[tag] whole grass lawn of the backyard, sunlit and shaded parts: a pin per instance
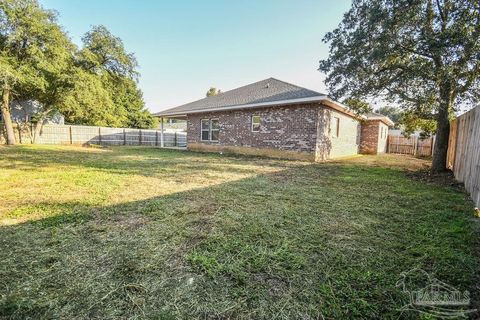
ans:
(160, 234)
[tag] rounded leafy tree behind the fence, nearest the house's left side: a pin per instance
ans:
(116, 101)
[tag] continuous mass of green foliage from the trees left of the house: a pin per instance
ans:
(95, 85)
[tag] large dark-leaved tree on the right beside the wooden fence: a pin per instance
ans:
(421, 54)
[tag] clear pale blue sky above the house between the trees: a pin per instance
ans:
(185, 47)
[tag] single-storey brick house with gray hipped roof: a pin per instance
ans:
(279, 119)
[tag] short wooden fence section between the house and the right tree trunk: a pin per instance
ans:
(411, 145)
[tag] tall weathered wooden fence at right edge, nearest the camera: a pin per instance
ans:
(464, 151)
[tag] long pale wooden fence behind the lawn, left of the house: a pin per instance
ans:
(66, 134)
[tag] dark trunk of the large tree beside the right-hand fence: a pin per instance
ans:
(439, 161)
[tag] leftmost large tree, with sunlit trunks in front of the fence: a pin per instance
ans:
(41, 55)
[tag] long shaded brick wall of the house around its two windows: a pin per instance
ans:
(290, 128)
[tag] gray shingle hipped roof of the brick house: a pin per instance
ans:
(268, 90)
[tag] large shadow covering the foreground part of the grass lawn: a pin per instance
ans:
(308, 242)
